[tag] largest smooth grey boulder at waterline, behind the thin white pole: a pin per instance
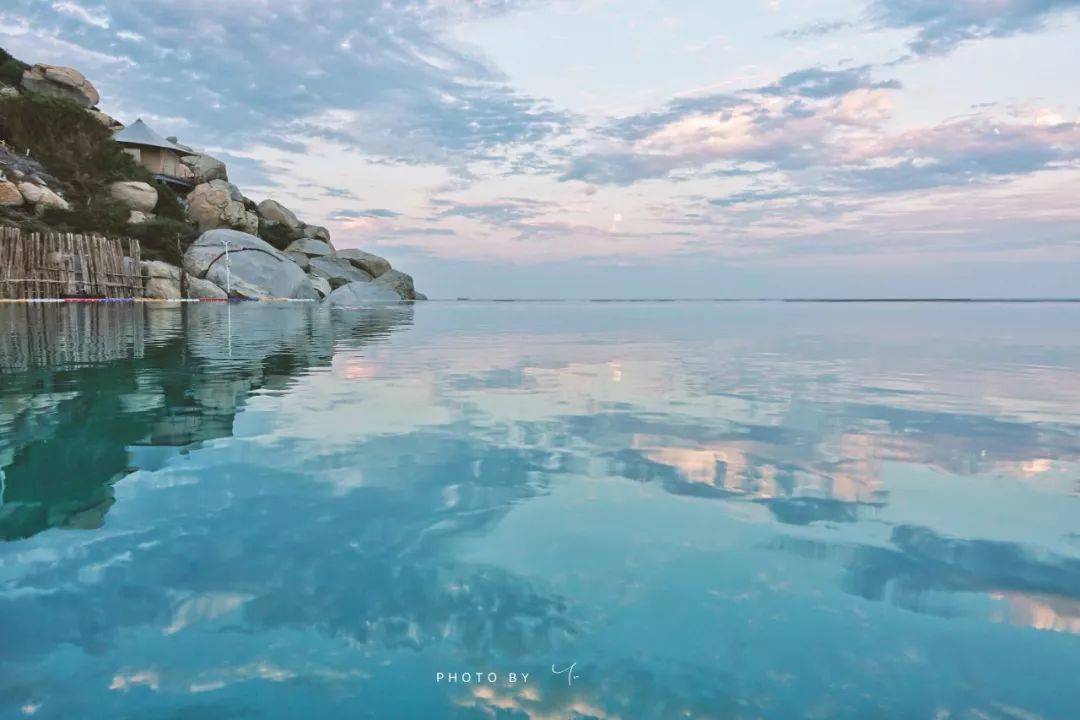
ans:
(253, 269)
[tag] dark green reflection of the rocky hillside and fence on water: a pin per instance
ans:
(92, 392)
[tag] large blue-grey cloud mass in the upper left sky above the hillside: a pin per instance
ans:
(262, 73)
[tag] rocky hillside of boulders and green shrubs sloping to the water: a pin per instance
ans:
(206, 239)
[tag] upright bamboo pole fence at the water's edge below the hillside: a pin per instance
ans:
(65, 265)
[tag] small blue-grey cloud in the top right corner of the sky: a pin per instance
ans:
(941, 26)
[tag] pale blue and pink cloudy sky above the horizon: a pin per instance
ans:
(626, 148)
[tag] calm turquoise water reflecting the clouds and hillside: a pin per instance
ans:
(714, 511)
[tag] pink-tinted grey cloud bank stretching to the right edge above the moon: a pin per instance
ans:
(820, 138)
